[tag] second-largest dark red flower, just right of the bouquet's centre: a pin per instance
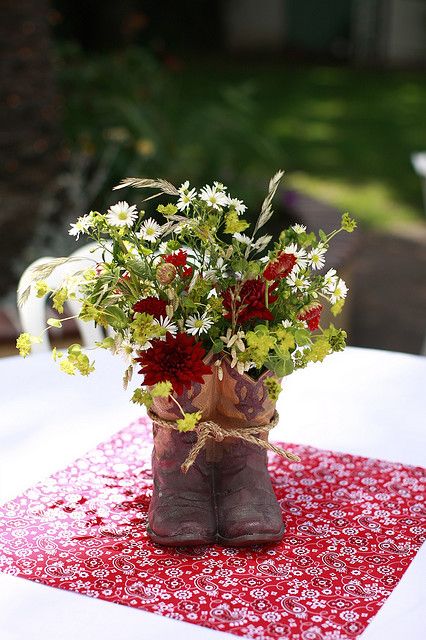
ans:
(251, 302)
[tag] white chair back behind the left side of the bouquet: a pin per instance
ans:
(32, 314)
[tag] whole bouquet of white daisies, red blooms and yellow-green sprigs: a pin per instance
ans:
(191, 285)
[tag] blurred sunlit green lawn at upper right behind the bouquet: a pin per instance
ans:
(346, 135)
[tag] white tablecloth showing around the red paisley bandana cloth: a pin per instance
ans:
(361, 401)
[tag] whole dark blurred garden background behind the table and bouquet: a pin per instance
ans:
(333, 92)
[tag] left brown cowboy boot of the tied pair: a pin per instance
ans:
(181, 511)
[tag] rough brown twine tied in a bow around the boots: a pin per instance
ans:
(209, 429)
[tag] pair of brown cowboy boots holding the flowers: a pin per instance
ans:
(226, 496)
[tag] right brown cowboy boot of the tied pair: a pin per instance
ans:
(246, 506)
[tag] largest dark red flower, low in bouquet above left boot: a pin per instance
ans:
(178, 359)
